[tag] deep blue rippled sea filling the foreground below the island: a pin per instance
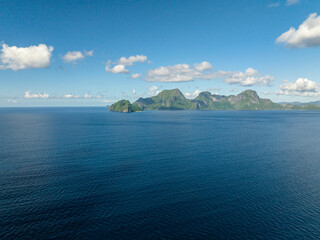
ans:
(81, 173)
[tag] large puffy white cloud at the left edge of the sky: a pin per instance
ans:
(17, 58)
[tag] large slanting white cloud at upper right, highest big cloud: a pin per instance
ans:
(307, 34)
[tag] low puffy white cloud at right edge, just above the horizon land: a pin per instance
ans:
(301, 87)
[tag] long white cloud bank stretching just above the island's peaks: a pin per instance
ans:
(184, 73)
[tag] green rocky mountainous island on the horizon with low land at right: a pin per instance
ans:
(175, 100)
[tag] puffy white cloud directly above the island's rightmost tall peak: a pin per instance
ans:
(248, 78)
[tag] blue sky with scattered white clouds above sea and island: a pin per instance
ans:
(93, 53)
